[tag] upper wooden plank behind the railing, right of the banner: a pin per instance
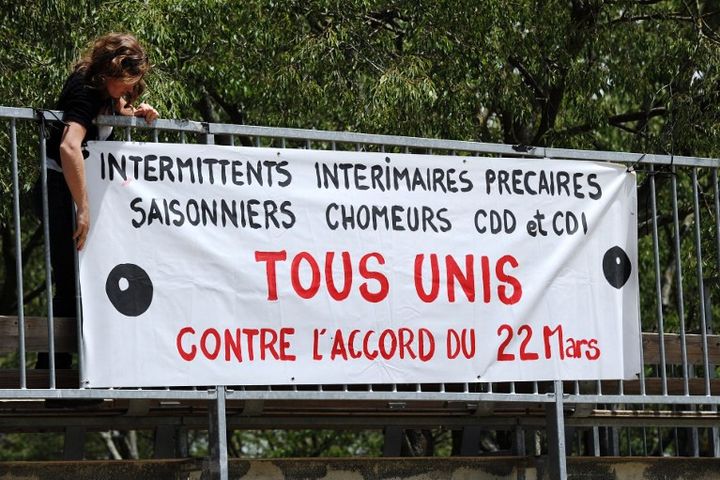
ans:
(673, 345)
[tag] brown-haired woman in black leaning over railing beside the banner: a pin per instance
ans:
(107, 80)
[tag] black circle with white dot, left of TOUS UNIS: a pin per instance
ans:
(129, 289)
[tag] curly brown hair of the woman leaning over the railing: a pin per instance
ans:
(115, 55)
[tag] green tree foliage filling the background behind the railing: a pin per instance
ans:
(626, 75)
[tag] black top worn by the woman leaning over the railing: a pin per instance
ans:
(80, 103)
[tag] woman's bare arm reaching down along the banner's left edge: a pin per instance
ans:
(73, 165)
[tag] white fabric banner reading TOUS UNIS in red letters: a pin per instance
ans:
(213, 265)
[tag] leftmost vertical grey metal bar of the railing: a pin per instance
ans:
(18, 253)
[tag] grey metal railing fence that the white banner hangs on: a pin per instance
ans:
(671, 409)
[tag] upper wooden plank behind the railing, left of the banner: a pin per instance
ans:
(36, 334)
